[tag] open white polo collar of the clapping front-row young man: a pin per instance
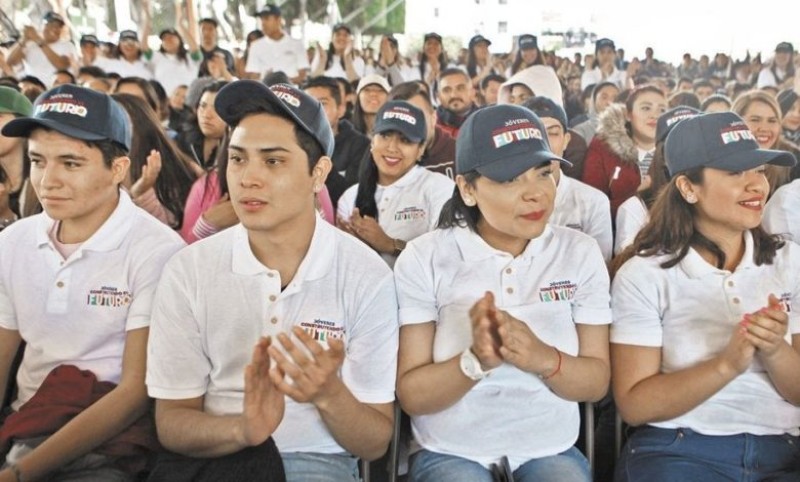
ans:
(316, 263)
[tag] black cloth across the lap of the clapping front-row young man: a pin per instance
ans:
(254, 464)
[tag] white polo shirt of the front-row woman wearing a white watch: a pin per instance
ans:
(559, 280)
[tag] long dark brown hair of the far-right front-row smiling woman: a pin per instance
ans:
(671, 231)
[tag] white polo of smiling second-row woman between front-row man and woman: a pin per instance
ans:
(408, 207)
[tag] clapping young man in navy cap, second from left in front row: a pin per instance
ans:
(318, 306)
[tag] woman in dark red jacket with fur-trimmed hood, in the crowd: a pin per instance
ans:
(620, 154)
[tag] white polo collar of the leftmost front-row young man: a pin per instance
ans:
(108, 237)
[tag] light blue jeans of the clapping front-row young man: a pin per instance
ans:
(311, 467)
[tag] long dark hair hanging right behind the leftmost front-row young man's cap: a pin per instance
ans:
(176, 178)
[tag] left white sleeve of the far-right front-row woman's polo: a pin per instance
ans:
(634, 303)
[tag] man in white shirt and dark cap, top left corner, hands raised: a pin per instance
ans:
(41, 54)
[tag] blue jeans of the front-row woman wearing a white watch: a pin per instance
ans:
(568, 466)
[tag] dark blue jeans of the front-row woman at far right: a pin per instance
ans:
(665, 455)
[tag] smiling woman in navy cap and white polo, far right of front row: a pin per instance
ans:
(706, 337)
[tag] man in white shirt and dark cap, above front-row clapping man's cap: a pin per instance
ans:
(276, 51)
